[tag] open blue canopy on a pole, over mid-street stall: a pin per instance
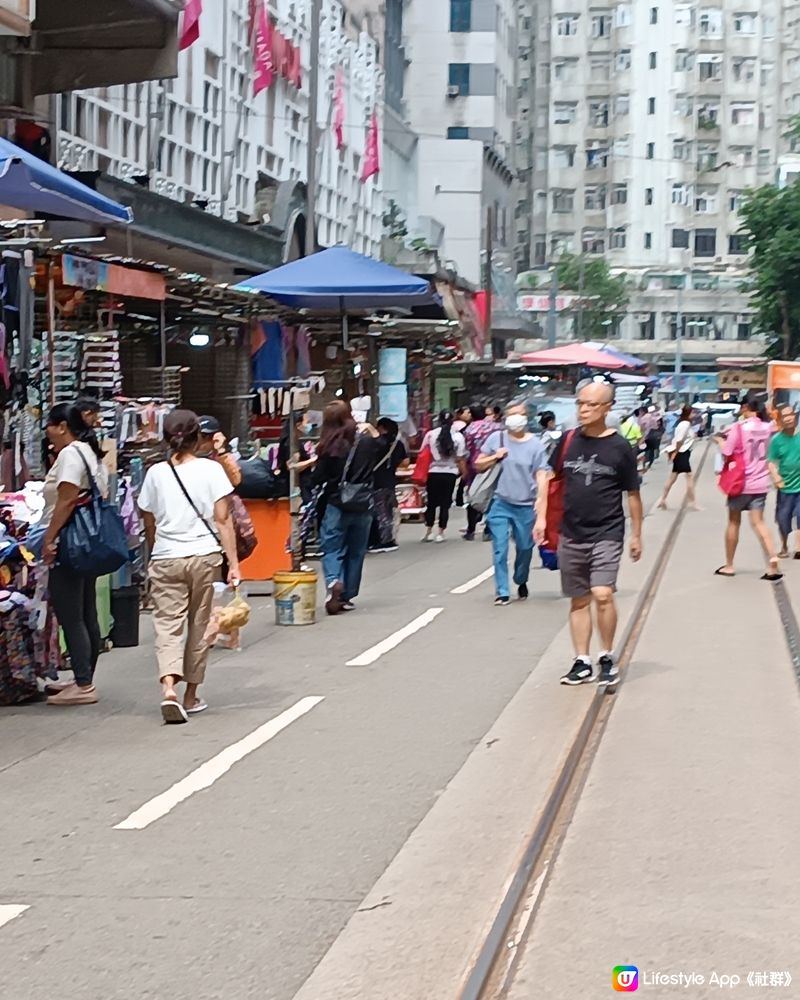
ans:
(339, 279)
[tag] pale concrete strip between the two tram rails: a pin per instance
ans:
(682, 853)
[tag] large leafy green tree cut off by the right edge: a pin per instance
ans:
(771, 223)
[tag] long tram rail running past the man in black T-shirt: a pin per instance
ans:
(495, 965)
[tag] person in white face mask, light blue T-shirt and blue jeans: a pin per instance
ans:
(515, 507)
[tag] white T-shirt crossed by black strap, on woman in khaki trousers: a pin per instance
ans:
(179, 531)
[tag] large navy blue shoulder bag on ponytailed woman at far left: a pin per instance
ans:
(93, 542)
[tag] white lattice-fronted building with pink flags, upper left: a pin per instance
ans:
(204, 139)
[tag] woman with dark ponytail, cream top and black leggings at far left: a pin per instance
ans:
(78, 456)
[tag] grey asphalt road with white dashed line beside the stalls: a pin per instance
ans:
(239, 889)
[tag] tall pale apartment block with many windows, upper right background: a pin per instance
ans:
(647, 124)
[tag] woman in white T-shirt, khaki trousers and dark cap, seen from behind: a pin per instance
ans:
(187, 520)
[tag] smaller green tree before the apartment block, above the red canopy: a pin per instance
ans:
(601, 296)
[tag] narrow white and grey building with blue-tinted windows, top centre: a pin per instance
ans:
(459, 98)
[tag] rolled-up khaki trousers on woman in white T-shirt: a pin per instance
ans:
(182, 592)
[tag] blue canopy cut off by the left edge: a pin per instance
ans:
(29, 183)
